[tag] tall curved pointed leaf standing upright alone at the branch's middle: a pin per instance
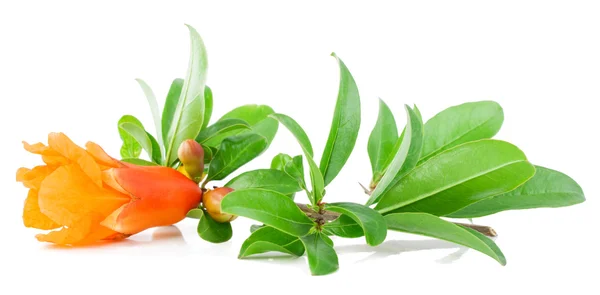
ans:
(344, 128)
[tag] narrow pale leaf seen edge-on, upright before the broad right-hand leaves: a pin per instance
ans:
(406, 157)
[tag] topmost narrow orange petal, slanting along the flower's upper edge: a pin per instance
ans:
(65, 147)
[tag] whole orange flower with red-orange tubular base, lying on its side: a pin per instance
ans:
(92, 197)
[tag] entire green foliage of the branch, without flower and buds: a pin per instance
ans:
(422, 174)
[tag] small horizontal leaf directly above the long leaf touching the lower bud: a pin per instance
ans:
(269, 179)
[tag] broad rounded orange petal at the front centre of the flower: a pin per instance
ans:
(69, 195)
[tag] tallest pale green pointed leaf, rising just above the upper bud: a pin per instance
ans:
(189, 113)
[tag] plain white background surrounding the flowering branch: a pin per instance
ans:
(70, 67)
